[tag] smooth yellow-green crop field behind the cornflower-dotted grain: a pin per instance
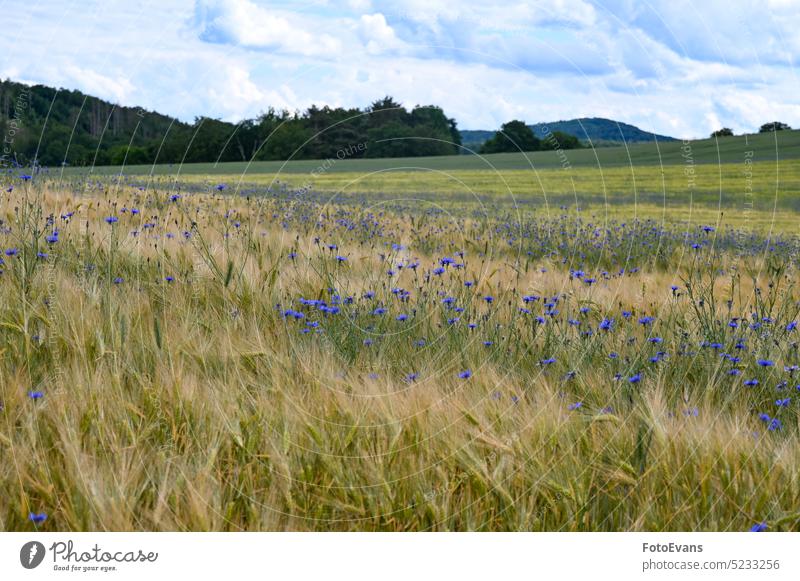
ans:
(744, 181)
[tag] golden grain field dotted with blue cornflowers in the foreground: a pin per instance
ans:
(188, 357)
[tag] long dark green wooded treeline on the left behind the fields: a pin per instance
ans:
(51, 128)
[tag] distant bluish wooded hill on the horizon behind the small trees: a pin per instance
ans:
(598, 131)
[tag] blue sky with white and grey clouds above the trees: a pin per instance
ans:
(676, 68)
